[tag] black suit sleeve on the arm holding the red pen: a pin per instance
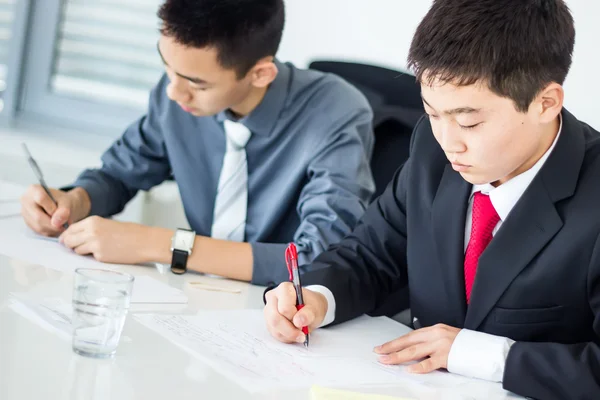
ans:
(369, 264)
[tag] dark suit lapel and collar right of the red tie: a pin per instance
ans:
(531, 224)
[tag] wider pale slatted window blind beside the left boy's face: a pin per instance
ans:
(106, 51)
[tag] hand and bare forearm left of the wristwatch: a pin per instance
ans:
(109, 241)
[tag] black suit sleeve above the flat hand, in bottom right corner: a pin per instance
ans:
(560, 371)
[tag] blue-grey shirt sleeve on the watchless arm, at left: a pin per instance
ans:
(136, 161)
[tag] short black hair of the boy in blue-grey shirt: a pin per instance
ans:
(242, 31)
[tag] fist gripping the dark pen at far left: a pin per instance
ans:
(45, 217)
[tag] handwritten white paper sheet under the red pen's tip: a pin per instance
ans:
(237, 344)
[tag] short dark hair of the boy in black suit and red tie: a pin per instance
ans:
(517, 47)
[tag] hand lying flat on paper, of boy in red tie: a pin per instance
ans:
(431, 344)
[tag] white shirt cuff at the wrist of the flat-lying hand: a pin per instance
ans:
(479, 355)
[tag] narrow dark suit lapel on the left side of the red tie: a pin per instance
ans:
(448, 221)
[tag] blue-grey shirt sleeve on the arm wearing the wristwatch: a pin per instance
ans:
(339, 188)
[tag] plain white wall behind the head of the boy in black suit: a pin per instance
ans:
(379, 32)
